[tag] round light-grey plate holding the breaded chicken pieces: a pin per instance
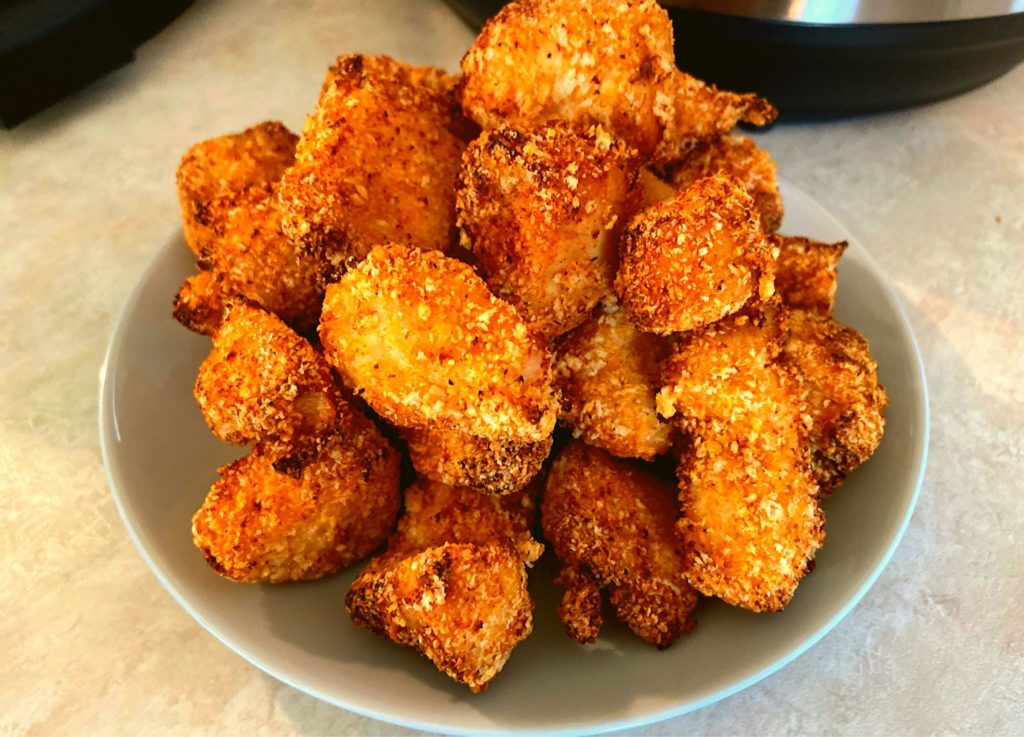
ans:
(161, 459)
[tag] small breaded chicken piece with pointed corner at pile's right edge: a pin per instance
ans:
(805, 273)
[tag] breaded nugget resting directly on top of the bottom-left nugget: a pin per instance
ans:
(263, 383)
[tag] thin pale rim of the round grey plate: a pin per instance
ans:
(109, 431)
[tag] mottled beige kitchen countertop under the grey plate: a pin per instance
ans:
(93, 645)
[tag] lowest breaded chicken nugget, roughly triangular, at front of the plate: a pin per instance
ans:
(463, 606)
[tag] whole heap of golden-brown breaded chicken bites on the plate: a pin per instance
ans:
(553, 288)
